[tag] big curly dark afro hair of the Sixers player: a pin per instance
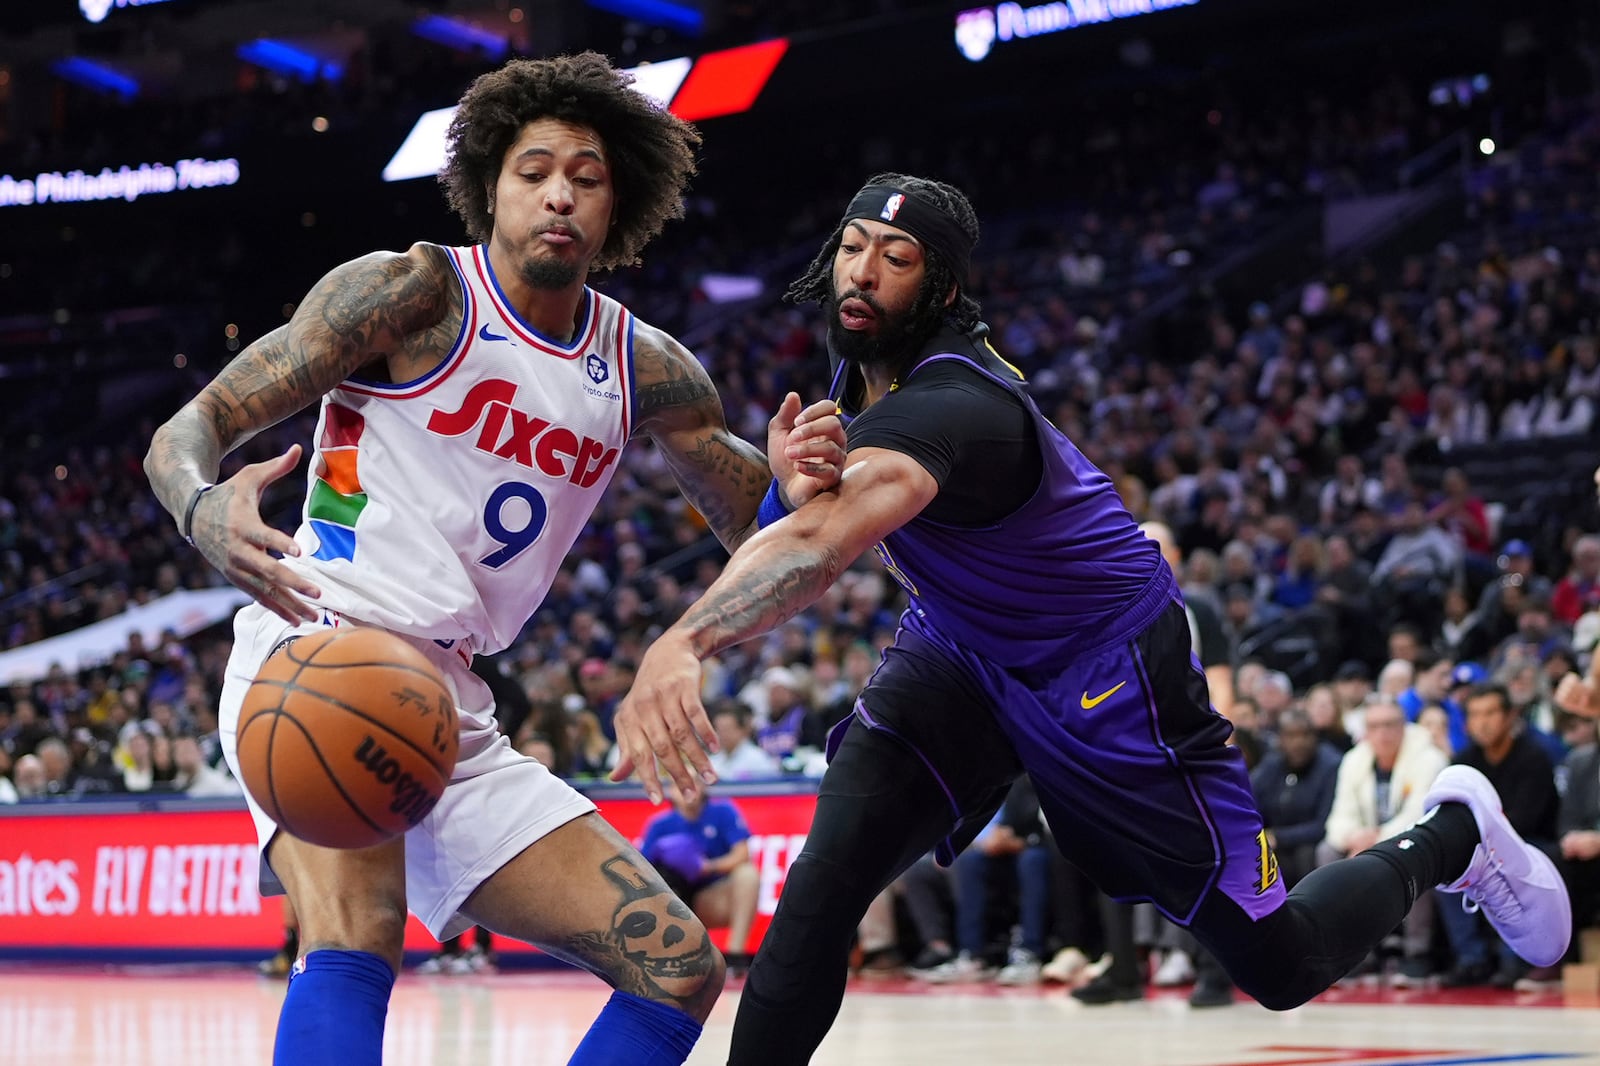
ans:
(650, 150)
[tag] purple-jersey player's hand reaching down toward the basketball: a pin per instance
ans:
(663, 721)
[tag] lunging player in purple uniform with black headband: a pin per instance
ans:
(1046, 635)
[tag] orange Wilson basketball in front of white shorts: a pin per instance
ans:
(348, 737)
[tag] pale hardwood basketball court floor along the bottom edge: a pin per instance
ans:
(212, 1017)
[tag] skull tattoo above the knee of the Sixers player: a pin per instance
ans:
(655, 947)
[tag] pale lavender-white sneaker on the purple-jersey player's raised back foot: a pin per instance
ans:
(1511, 881)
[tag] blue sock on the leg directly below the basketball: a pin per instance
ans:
(335, 1011)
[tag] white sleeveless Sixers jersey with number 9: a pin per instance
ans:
(441, 508)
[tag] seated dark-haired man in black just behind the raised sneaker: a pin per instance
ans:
(1526, 780)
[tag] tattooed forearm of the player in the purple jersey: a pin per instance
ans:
(762, 588)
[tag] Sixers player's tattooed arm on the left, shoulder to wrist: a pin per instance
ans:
(380, 307)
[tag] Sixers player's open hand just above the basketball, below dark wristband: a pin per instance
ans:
(230, 532)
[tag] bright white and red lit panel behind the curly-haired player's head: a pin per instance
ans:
(718, 84)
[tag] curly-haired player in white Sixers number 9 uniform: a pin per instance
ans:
(474, 403)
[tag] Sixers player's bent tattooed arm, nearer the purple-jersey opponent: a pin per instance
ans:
(722, 476)
